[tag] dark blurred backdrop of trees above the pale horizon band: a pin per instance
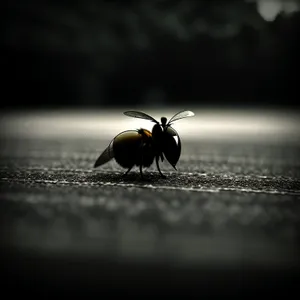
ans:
(153, 52)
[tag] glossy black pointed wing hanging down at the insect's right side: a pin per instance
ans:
(171, 146)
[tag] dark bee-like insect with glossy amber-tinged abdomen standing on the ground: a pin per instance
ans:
(140, 147)
